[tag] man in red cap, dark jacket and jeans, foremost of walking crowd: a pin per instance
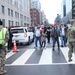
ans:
(55, 33)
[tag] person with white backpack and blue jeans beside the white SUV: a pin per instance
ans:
(38, 36)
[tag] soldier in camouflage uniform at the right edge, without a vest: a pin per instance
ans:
(71, 39)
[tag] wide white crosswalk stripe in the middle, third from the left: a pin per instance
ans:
(46, 57)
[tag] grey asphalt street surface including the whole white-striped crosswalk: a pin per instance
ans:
(29, 61)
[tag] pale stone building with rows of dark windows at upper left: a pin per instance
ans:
(15, 12)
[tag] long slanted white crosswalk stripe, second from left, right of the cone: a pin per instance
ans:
(23, 58)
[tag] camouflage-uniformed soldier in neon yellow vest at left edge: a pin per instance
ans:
(4, 36)
